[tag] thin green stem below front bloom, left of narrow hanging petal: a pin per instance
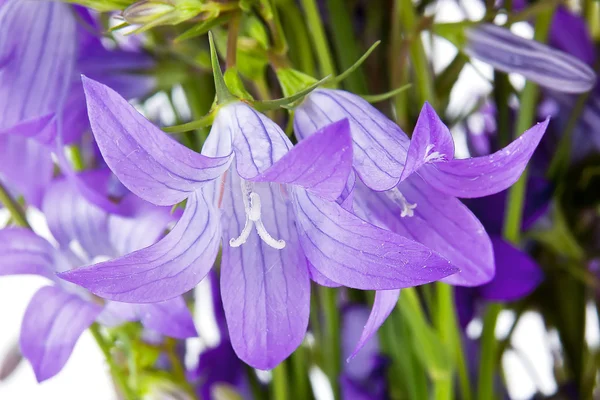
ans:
(332, 350)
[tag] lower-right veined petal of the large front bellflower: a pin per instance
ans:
(354, 253)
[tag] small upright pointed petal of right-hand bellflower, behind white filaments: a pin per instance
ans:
(431, 141)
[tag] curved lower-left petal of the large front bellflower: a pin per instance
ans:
(164, 270)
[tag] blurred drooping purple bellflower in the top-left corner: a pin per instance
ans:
(44, 47)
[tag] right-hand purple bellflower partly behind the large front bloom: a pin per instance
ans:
(410, 186)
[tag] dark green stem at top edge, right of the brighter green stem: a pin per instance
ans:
(344, 42)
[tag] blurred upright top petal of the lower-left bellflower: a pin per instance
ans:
(71, 218)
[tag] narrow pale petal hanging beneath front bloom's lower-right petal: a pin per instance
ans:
(385, 302)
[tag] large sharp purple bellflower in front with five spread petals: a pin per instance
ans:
(274, 209)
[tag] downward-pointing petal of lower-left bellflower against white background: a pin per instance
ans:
(52, 324)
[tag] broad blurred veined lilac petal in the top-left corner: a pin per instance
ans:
(37, 53)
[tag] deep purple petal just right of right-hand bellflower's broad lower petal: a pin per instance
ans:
(517, 274)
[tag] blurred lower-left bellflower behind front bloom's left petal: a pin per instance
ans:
(59, 313)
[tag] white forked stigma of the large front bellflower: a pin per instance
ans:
(252, 207)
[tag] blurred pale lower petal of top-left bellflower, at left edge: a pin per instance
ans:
(26, 167)
